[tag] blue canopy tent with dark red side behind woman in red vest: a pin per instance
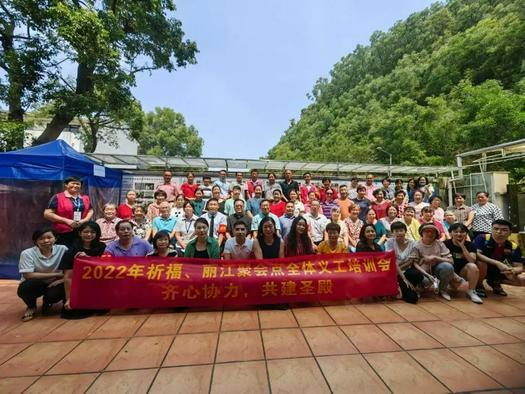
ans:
(29, 178)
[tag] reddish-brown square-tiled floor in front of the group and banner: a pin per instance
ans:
(435, 346)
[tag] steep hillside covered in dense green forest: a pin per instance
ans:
(448, 79)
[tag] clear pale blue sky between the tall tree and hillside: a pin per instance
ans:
(257, 62)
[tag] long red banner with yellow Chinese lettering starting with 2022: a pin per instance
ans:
(152, 282)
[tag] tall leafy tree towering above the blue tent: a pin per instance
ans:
(108, 42)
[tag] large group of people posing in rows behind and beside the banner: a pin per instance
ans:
(456, 248)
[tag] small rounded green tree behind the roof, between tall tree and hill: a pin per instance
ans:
(165, 133)
